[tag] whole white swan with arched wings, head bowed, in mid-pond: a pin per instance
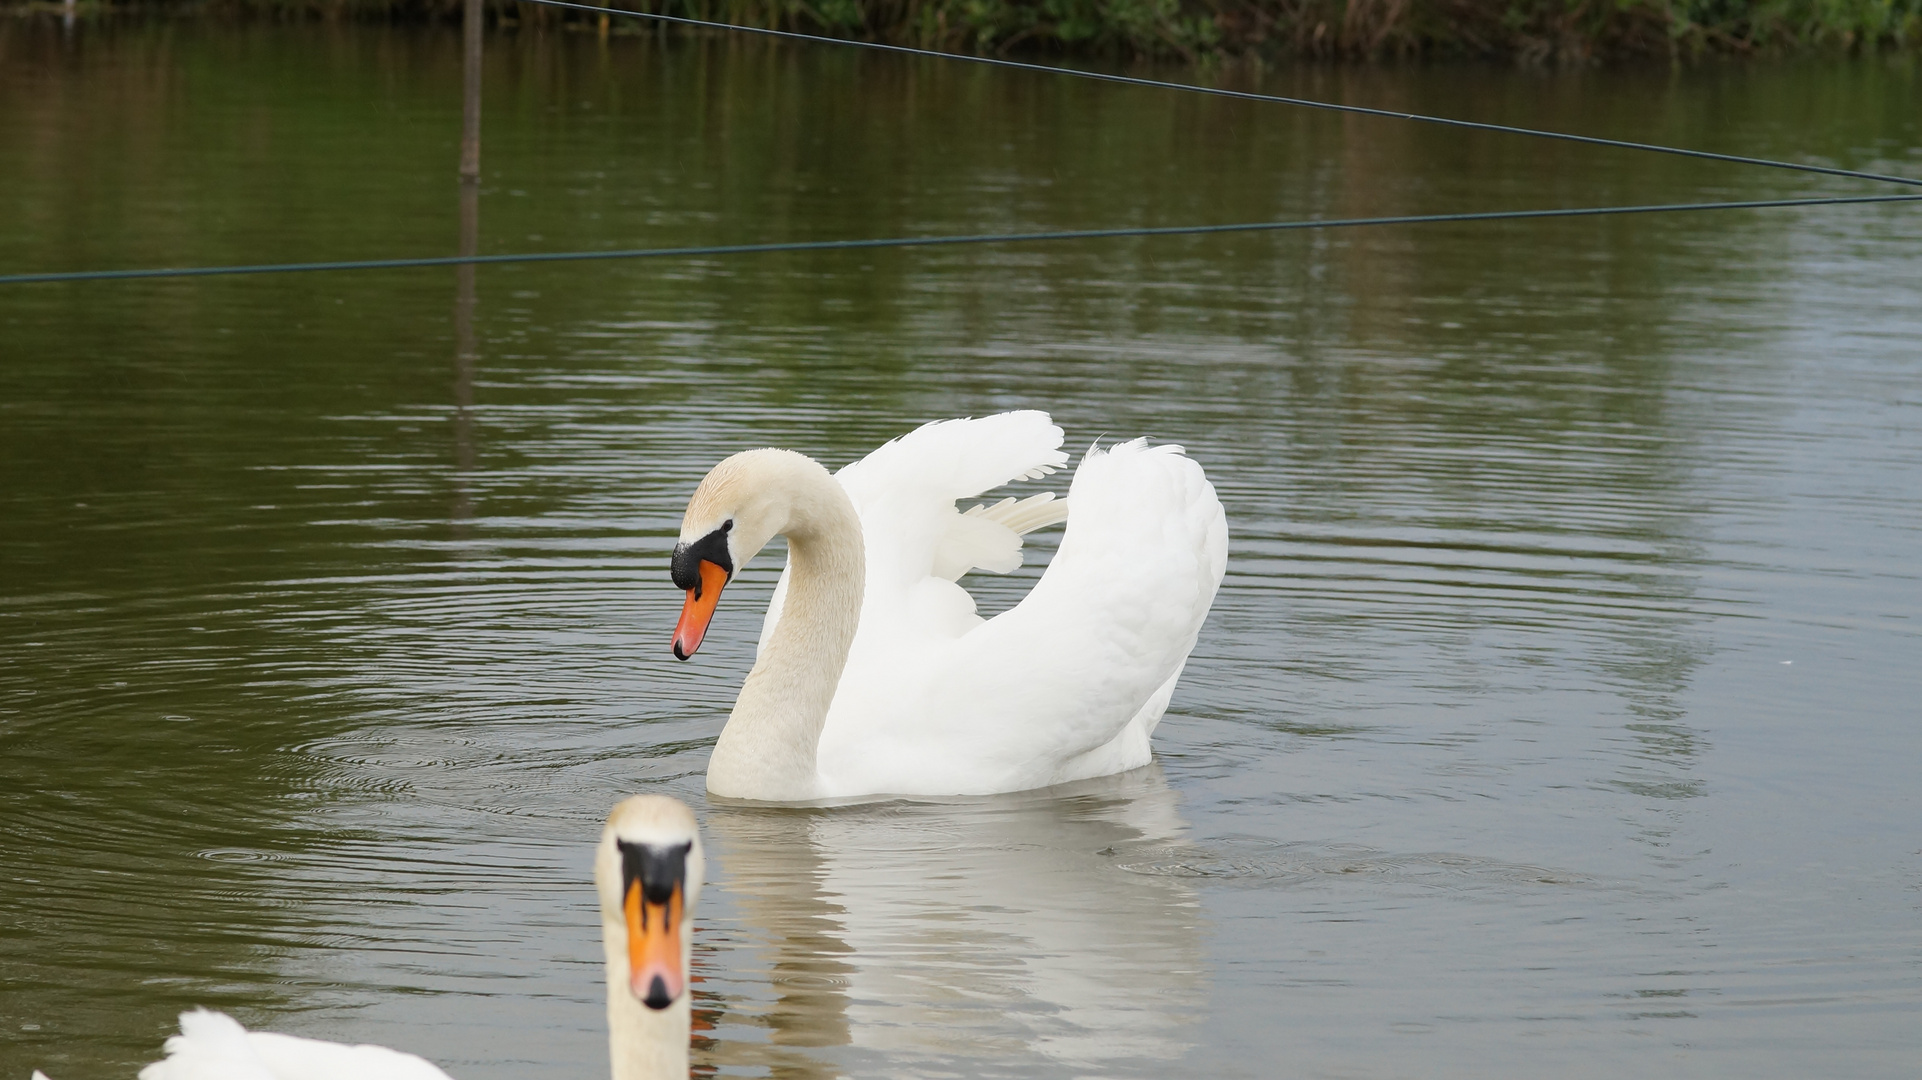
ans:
(877, 677)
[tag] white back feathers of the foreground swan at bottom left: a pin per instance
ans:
(214, 1046)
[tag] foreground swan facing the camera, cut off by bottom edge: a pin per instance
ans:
(649, 871)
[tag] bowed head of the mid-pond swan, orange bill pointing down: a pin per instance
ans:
(741, 506)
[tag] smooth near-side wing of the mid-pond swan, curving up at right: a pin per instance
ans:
(1027, 697)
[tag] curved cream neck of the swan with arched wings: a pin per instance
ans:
(768, 747)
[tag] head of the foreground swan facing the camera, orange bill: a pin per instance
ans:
(651, 871)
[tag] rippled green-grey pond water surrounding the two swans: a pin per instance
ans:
(1558, 716)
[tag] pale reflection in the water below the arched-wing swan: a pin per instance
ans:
(937, 931)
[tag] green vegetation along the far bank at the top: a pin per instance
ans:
(1527, 32)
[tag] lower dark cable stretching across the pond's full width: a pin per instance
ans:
(949, 241)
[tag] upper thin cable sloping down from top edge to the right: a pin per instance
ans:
(1244, 95)
